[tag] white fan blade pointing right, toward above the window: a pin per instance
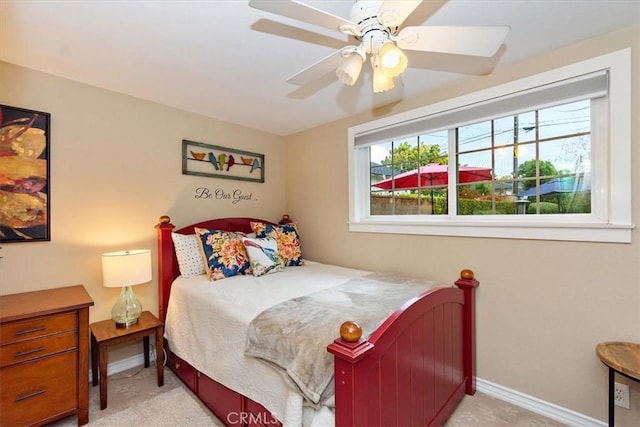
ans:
(460, 40)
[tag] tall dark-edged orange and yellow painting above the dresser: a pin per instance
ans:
(24, 175)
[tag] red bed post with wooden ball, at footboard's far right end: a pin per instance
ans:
(468, 284)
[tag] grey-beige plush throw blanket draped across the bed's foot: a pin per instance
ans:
(293, 335)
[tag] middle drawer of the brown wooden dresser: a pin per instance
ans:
(38, 347)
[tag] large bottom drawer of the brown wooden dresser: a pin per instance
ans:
(39, 390)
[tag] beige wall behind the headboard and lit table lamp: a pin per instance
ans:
(115, 168)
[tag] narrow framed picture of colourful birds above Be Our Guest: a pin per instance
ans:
(221, 162)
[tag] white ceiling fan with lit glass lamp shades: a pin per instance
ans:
(375, 25)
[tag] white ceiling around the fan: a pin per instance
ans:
(225, 60)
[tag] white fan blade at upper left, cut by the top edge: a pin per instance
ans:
(302, 12)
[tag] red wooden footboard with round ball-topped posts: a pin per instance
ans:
(415, 368)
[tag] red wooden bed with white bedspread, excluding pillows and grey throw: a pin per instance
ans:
(412, 368)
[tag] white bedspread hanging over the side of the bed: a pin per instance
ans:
(207, 322)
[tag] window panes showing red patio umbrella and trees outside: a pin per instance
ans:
(536, 162)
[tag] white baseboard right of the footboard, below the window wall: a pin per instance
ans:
(533, 404)
